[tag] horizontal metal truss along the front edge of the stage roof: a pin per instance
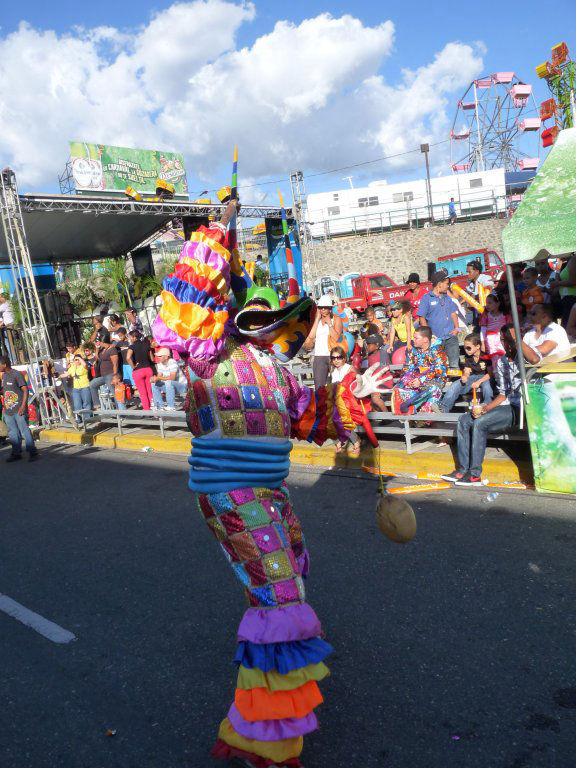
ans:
(167, 209)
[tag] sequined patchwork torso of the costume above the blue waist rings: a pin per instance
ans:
(246, 396)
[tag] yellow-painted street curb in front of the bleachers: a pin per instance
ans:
(424, 465)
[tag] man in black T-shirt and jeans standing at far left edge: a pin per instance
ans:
(15, 411)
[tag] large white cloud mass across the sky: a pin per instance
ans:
(309, 95)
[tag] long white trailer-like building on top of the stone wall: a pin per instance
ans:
(384, 206)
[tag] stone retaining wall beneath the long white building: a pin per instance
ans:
(400, 252)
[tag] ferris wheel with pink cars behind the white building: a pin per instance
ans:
(496, 125)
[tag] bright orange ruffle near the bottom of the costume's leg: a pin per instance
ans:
(261, 704)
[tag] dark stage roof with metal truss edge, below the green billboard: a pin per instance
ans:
(70, 228)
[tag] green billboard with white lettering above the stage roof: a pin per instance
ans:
(102, 168)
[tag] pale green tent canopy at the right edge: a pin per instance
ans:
(545, 221)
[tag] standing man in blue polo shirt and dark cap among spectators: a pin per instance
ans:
(440, 314)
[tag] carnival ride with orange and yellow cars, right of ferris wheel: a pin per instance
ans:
(560, 76)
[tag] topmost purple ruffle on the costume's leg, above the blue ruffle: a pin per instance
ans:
(279, 625)
